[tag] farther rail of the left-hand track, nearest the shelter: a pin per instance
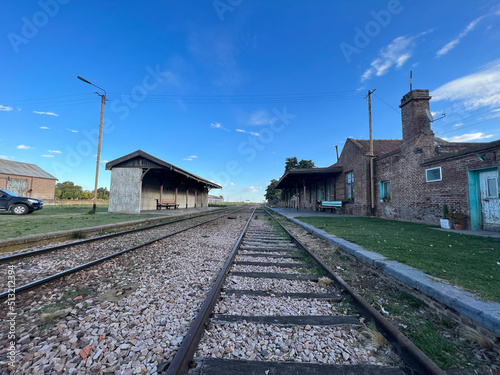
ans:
(27, 254)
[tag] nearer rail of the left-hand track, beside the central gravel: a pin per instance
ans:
(24, 288)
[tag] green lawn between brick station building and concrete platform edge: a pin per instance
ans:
(469, 262)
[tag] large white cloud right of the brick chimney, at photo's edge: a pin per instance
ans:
(477, 90)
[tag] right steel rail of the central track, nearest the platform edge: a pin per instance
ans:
(413, 356)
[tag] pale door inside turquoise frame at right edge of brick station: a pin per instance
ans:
(490, 201)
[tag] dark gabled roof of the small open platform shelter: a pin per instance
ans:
(158, 168)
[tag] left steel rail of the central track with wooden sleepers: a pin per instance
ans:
(182, 360)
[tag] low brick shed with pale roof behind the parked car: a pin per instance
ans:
(27, 180)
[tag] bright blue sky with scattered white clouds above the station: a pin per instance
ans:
(228, 89)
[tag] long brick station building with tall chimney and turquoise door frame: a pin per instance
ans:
(414, 177)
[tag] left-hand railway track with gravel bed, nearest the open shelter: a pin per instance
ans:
(38, 267)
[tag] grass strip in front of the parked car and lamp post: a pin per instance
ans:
(58, 218)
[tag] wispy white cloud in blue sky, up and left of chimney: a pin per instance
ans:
(395, 54)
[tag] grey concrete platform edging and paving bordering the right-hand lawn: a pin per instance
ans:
(486, 314)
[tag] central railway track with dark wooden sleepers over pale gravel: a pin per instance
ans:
(275, 309)
